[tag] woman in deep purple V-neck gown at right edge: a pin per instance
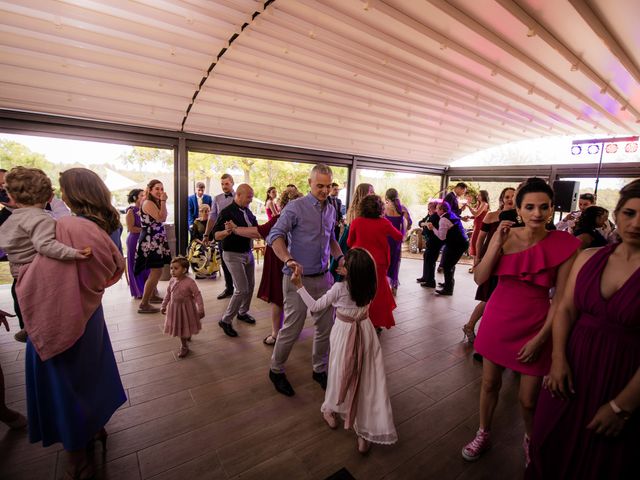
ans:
(587, 425)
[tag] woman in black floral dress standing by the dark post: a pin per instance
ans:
(153, 249)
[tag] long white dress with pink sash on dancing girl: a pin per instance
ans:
(373, 418)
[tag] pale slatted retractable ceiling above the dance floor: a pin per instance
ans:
(425, 81)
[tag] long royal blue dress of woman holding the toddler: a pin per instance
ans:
(72, 395)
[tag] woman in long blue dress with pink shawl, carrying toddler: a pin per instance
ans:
(73, 383)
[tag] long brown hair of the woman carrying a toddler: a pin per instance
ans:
(86, 195)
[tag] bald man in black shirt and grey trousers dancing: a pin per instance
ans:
(237, 253)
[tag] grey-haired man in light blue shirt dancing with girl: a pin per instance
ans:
(308, 225)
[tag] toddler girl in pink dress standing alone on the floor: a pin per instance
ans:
(183, 305)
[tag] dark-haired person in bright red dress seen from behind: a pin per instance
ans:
(371, 231)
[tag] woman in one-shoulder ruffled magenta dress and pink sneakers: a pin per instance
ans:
(516, 325)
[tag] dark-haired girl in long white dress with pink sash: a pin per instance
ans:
(357, 384)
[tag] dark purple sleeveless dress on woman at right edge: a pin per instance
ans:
(604, 354)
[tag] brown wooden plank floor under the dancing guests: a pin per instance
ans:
(215, 414)
